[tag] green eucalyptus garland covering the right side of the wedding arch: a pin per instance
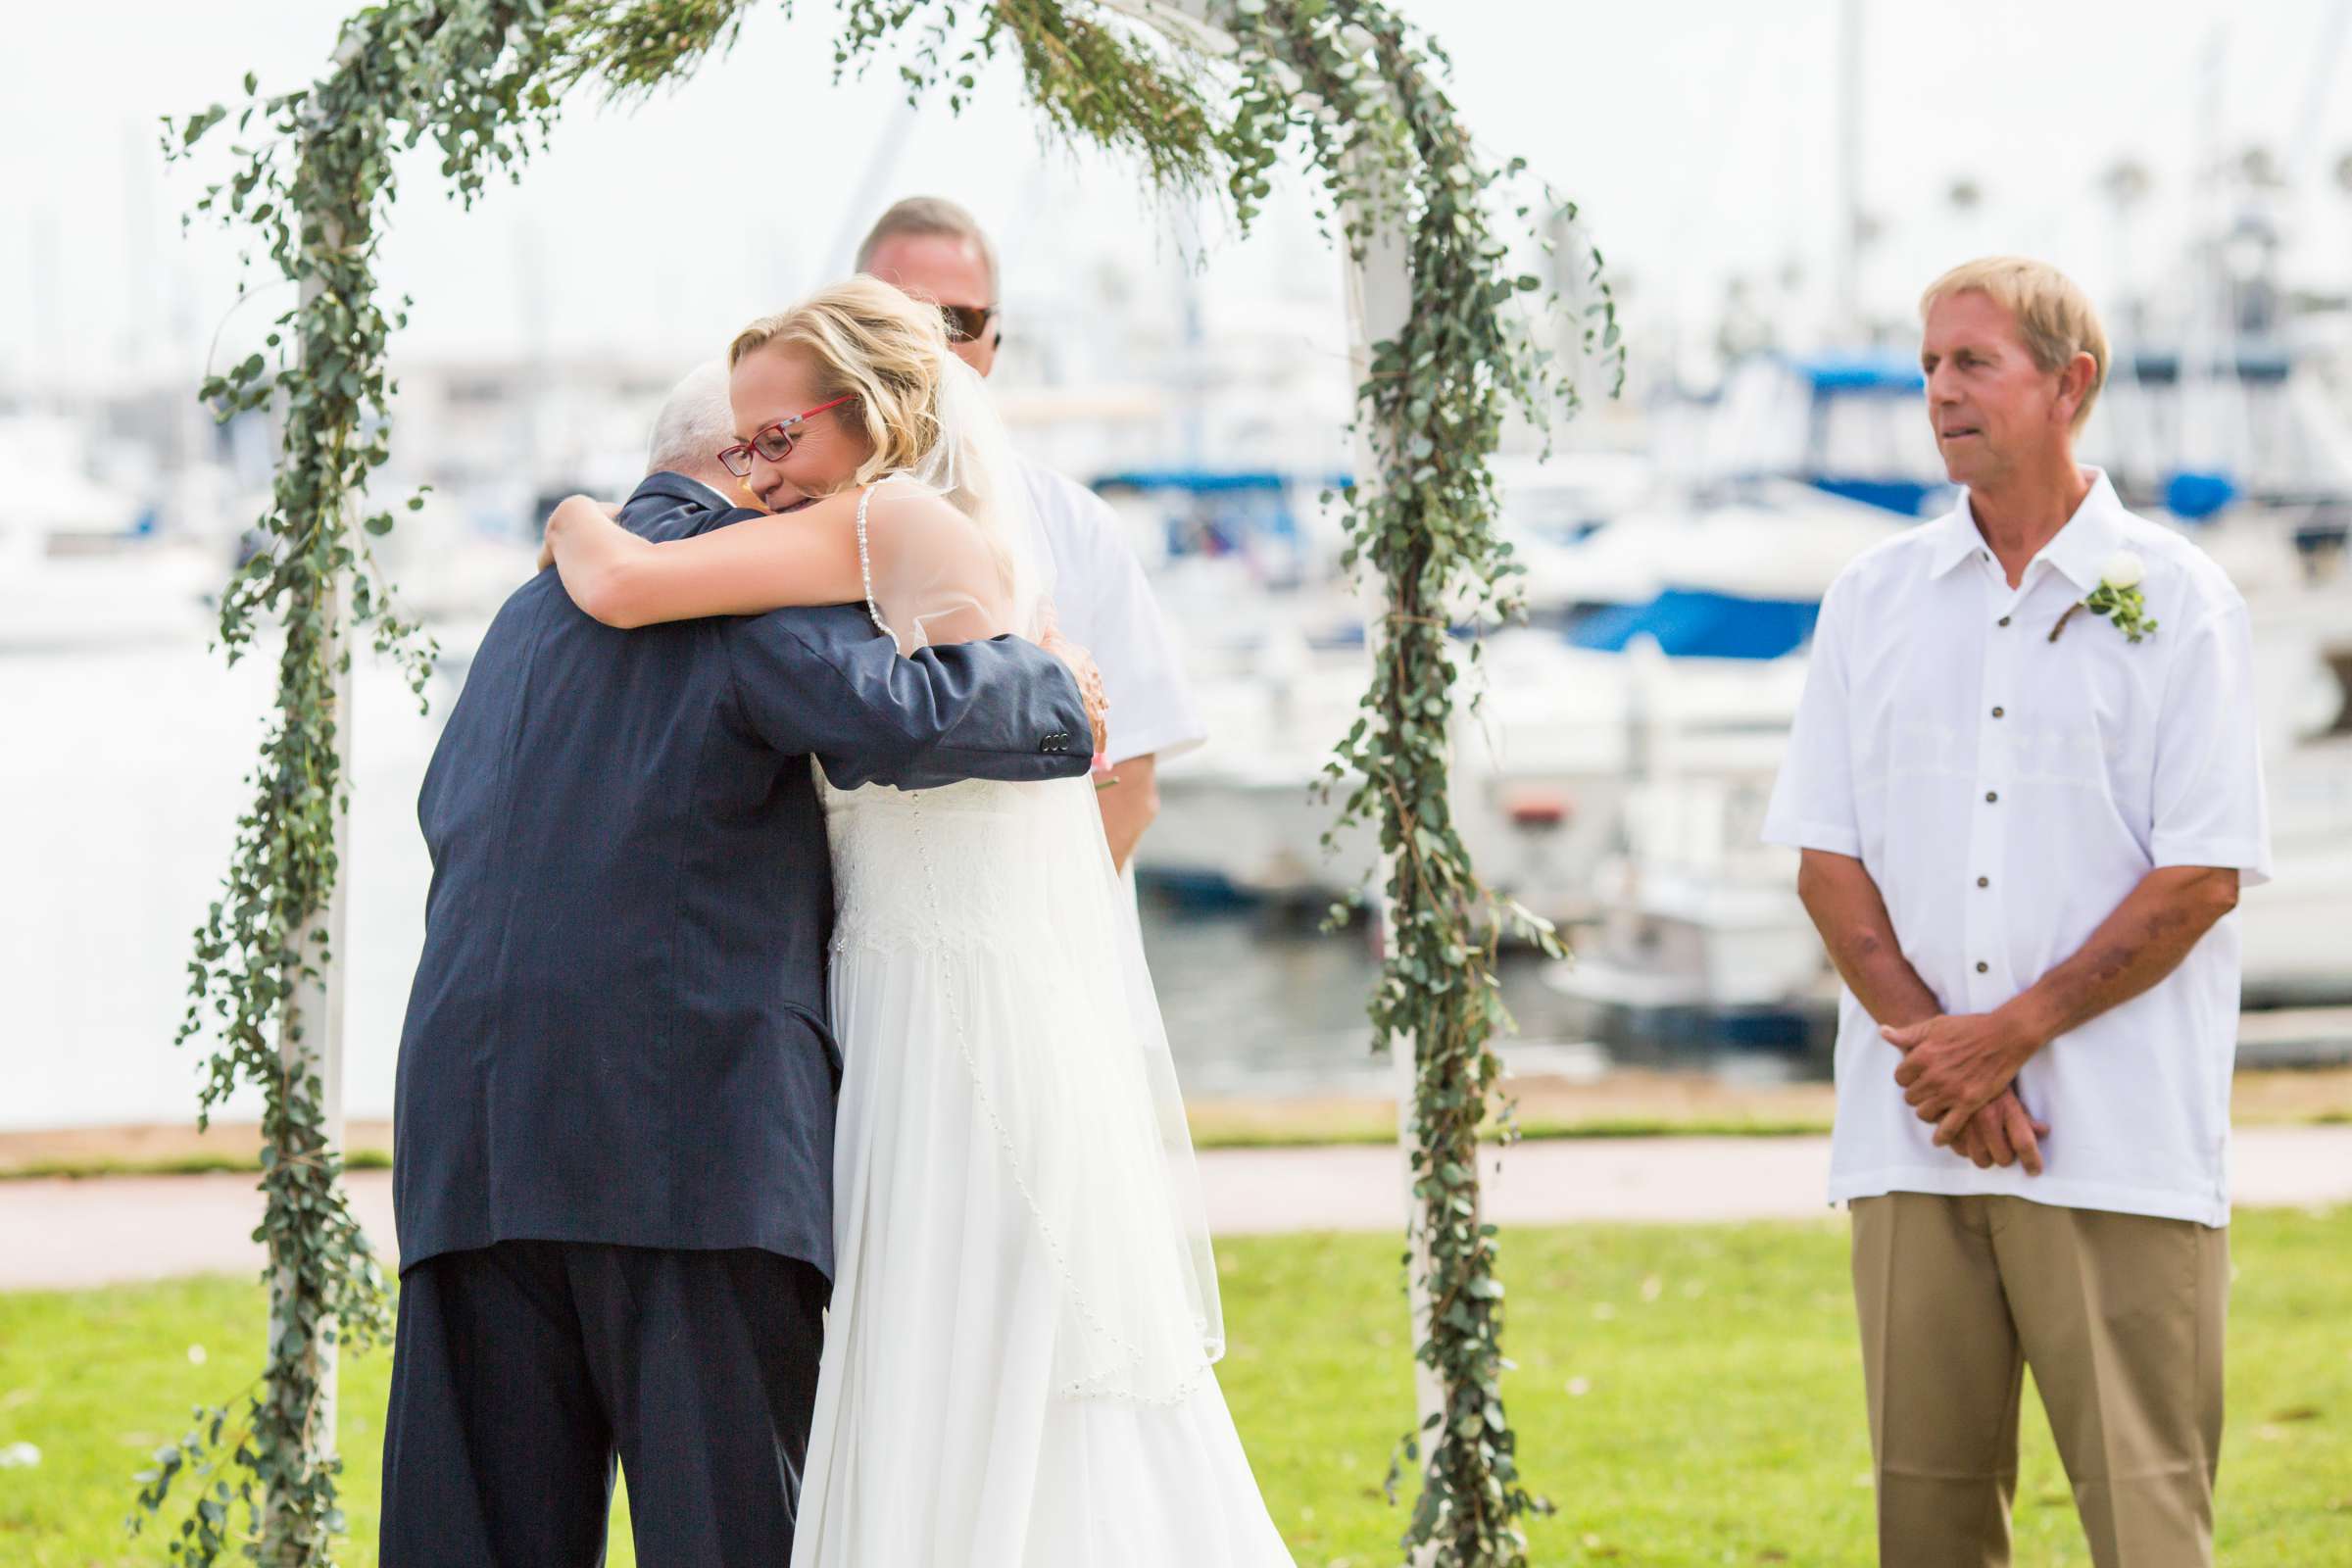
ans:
(1365, 91)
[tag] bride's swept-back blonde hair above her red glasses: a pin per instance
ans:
(874, 344)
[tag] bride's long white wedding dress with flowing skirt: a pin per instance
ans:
(1017, 1365)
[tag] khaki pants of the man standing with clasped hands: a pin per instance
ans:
(2123, 1322)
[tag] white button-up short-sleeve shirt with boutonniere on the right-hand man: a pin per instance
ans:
(2005, 793)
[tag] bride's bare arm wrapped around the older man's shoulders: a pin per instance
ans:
(742, 570)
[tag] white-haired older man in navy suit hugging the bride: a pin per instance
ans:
(615, 1111)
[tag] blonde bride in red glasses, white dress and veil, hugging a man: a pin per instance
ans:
(1017, 1365)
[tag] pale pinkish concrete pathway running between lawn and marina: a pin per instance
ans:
(107, 1231)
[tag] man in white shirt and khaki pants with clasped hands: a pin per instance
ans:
(2029, 791)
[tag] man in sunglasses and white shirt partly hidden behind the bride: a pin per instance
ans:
(935, 250)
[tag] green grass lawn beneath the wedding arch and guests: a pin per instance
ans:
(1688, 1395)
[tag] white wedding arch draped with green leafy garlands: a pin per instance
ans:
(1205, 95)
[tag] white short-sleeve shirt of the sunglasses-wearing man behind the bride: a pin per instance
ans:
(1107, 608)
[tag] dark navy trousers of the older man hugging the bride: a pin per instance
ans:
(523, 1369)
